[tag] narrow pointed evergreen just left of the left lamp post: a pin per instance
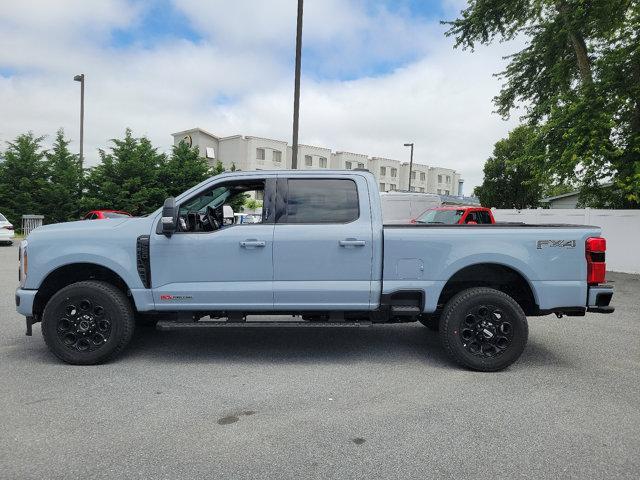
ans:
(64, 182)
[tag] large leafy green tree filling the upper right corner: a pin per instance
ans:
(578, 79)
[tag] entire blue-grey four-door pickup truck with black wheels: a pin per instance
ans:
(320, 254)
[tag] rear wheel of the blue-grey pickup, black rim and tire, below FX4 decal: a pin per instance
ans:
(483, 329)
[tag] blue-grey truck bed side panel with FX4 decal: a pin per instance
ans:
(424, 257)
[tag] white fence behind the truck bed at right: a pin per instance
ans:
(621, 228)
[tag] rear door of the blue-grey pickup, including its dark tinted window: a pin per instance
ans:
(323, 249)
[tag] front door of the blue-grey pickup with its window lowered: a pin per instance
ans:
(230, 268)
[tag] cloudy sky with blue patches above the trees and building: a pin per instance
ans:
(376, 74)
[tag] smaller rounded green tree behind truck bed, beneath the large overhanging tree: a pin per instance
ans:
(511, 179)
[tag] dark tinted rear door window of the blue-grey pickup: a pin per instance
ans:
(321, 201)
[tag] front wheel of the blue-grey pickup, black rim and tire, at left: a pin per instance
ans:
(87, 323)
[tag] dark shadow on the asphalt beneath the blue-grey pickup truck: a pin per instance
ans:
(388, 344)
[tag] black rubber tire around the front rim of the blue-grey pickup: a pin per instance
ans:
(115, 306)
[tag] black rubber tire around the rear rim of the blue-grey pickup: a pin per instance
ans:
(454, 323)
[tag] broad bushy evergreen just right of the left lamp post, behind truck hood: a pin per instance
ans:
(128, 178)
